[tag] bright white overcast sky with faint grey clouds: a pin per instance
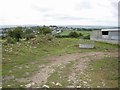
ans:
(59, 12)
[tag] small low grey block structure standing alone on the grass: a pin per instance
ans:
(86, 43)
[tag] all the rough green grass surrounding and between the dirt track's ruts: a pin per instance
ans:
(24, 59)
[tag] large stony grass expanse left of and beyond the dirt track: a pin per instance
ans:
(15, 57)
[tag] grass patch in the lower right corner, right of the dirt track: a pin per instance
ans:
(103, 73)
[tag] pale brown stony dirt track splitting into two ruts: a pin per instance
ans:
(81, 58)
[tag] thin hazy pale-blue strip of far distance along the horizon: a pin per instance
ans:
(69, 26)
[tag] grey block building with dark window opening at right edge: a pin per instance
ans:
(106, 35)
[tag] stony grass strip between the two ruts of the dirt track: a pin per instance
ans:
(60, 76)
